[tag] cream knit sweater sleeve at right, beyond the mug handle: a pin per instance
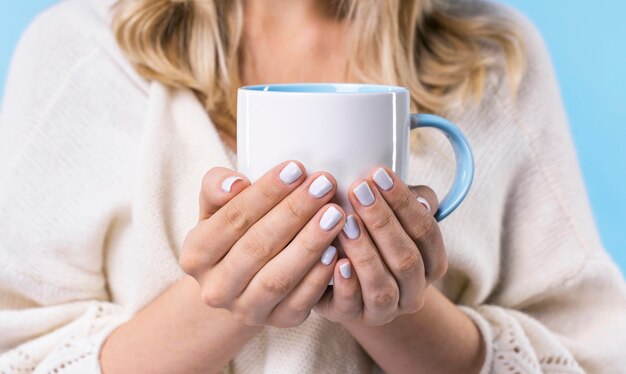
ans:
(560, 303)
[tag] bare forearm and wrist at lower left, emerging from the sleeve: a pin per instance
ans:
(205, 338)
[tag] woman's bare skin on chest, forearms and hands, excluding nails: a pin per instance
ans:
(388, 305)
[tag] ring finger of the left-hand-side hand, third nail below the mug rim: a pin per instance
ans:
(285, 271)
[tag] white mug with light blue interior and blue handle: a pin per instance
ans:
(341, 128)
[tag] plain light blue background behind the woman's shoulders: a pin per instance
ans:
(587, 40)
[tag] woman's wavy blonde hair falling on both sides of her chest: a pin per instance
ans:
(439, 53)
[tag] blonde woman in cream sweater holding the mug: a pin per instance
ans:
(117, 116)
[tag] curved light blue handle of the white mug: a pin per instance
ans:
(464, 161)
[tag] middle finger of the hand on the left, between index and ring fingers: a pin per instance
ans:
(273, 232)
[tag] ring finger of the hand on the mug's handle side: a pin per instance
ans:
(381, 293)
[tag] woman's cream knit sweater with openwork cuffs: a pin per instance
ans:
(99, 178)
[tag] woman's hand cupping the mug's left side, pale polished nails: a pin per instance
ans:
(263, 250)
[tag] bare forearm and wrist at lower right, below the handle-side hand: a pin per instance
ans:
(438, 338)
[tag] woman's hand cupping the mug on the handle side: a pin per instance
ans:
(394, 250)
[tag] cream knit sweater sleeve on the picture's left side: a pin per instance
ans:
(61, 190)
